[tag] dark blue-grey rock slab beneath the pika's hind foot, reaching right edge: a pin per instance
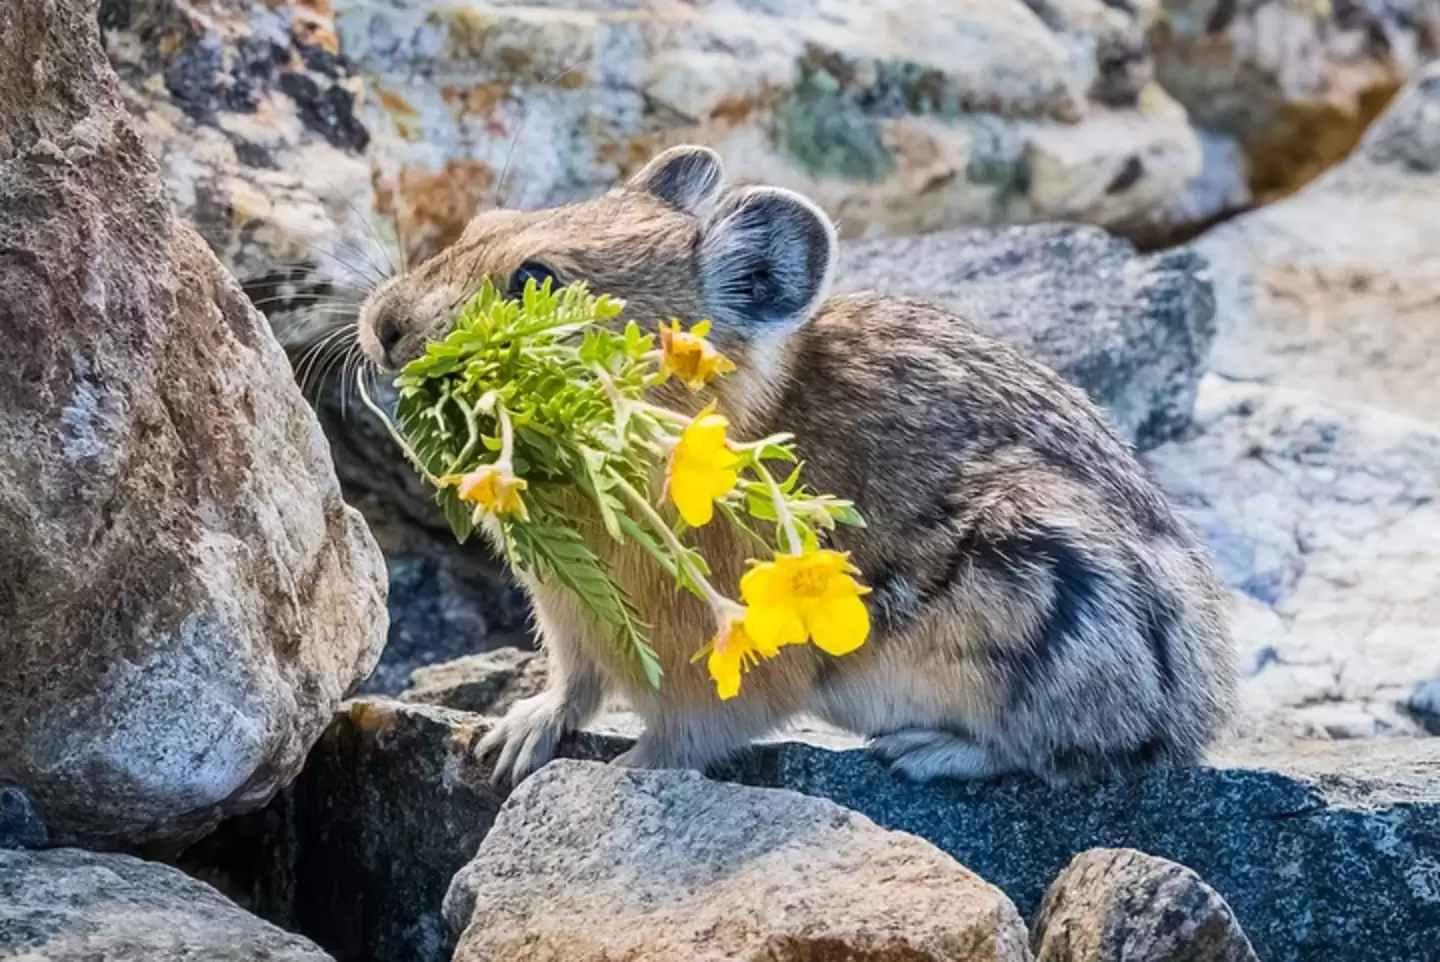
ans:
(1323, 853)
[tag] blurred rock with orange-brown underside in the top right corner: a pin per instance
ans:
(1297, 84)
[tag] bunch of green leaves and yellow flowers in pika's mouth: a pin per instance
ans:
(528, 405)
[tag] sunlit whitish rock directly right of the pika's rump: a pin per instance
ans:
(1327, 516)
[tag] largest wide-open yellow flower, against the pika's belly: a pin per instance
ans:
(807, 597)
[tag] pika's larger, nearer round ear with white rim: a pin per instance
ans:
(767, 257)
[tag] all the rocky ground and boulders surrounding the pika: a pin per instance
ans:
(195, 581)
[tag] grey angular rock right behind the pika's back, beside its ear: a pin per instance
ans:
(1133, 332)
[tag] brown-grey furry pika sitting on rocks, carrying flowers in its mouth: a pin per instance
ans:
(1038, 606)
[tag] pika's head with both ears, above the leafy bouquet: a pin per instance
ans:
(673, 243)
